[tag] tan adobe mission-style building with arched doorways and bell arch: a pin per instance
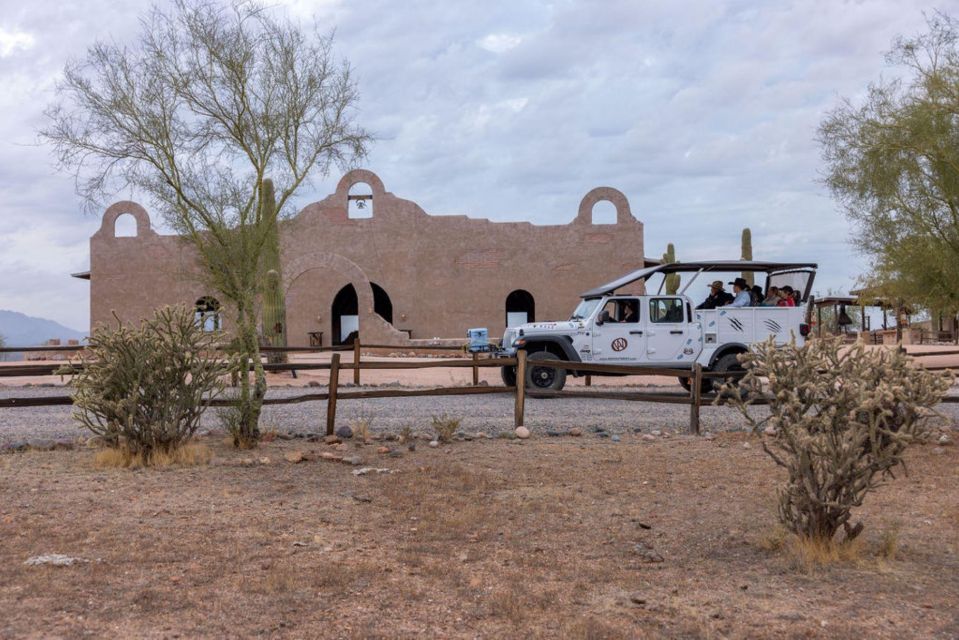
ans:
(396, 275)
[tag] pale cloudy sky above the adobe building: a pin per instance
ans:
(703, 112)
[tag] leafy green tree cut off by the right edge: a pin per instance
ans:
(893, 164)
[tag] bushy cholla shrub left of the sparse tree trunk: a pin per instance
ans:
(144, 389)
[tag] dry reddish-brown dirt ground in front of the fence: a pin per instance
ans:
(483, 539)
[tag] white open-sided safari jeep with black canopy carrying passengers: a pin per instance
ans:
(663, 330)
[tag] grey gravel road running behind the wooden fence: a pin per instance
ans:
(489, 413)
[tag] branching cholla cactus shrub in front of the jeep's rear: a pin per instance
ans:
(841, 418)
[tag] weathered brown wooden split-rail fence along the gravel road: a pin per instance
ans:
(335, 394)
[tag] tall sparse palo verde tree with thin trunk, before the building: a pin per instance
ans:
(206, 106)
